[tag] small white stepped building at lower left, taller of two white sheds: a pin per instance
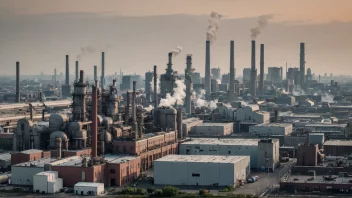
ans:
(47, 182)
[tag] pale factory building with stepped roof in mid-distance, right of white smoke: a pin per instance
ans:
(252, 114)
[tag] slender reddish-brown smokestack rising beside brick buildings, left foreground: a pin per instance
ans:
(94, 121)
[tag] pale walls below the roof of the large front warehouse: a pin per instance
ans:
(199, 173)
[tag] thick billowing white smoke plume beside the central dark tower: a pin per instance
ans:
(177, 97)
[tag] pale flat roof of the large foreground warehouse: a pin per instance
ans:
(202, 158)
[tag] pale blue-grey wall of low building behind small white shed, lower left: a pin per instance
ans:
(23, 175)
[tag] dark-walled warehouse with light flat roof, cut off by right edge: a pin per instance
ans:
(338, 147)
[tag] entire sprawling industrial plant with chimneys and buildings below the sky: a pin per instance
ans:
(283, 127)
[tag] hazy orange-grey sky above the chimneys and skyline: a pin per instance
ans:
(141, 32)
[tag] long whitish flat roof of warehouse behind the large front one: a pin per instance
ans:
(222, 141)
